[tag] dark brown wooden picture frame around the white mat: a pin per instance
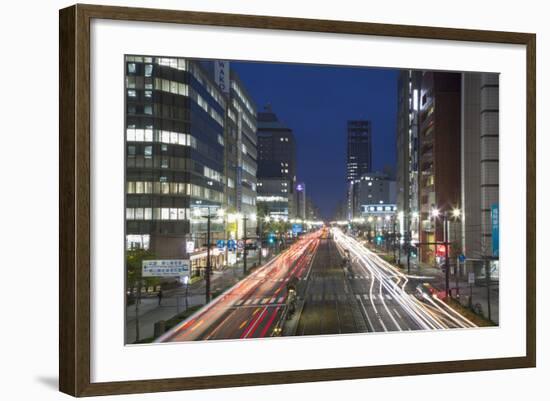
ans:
(74, 203)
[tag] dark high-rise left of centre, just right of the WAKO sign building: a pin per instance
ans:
(276, 166)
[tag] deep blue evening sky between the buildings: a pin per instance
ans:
(316, 102)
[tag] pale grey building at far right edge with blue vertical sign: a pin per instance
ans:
(480, 173)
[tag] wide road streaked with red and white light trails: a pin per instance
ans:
(342, 288)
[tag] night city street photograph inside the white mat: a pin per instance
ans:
(325, 200)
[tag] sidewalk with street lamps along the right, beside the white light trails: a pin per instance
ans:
(436, 277)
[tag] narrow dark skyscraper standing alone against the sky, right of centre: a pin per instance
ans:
(359, 157)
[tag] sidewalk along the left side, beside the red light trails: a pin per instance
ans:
(173, 301)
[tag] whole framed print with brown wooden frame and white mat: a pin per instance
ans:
(251, 200)
